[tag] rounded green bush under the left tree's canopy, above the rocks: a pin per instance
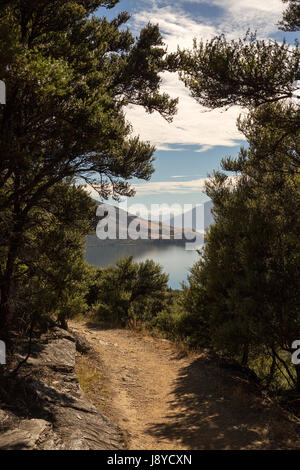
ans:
(50, 274)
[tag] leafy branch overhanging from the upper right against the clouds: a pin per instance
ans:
(244, 72)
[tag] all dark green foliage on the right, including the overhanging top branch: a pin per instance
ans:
(245, 289)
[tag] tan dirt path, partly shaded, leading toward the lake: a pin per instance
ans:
(165, 401)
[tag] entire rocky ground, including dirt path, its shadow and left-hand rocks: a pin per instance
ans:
(141, 393)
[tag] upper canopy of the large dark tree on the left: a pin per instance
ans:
(68, 80)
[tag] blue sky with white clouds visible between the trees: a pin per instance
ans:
(192, 146)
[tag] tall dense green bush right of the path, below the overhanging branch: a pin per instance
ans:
(246, 286)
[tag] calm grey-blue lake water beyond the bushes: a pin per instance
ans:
(175, 260)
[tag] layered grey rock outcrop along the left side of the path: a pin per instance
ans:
(62, 416)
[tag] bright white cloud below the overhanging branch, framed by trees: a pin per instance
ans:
(193, 125)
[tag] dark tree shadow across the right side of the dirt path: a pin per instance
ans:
(217, 408)
